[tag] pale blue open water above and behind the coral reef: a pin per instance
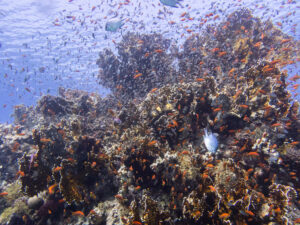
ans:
(48, 44)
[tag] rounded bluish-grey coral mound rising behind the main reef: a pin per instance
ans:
(138, 69)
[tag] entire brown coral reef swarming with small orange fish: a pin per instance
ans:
(139, 156)
